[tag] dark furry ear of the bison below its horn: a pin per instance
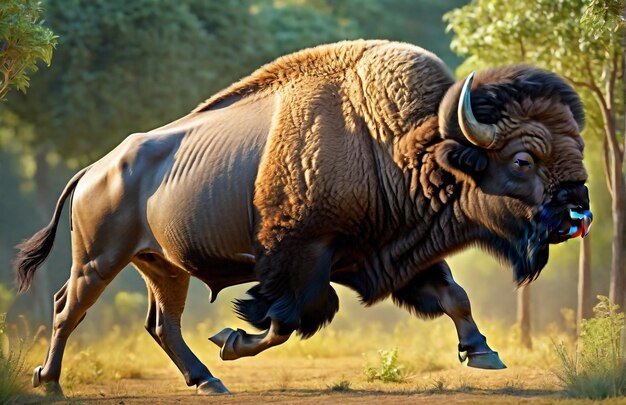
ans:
(464, 162)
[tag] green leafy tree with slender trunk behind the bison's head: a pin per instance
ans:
(549, 33)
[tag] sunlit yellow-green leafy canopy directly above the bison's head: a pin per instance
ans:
(565, 36)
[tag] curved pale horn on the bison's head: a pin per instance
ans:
(479, 134)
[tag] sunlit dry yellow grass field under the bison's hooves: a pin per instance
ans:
(127, 367)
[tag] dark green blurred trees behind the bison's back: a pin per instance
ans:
(128, 66)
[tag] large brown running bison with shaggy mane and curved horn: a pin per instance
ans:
(361, 163)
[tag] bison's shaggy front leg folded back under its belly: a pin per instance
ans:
(294, 295)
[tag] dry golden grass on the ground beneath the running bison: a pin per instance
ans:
(126, 361)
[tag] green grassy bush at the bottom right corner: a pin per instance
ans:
(595, 369)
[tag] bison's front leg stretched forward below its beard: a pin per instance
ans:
(433, 292)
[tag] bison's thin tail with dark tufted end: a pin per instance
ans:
(34, 251)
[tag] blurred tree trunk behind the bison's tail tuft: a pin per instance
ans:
(40, 289)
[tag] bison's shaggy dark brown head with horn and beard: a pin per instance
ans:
(512, 140)
